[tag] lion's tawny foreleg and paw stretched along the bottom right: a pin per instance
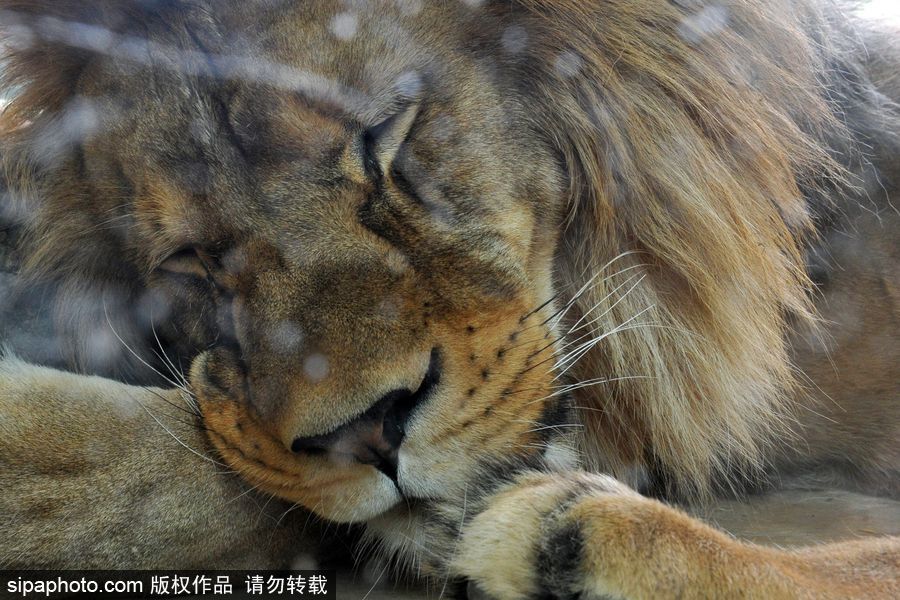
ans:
(588, 536)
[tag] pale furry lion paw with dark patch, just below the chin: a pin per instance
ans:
(541, 538)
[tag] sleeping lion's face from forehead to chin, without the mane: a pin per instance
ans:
(356, 241)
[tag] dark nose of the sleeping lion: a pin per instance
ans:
(374, 437)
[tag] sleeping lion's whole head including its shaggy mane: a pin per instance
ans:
(402, 244)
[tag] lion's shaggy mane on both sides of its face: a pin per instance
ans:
(700, 158)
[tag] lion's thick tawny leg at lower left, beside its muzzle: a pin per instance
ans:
(99, 474)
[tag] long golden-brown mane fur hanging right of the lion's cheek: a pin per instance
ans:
(717, 222)
